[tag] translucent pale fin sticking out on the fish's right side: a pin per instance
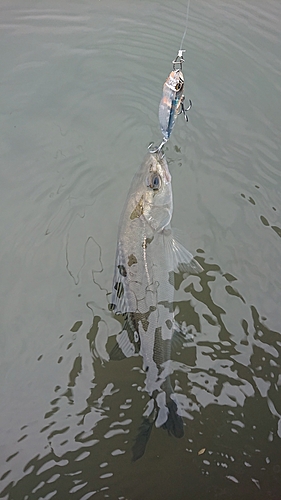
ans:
(183, 260)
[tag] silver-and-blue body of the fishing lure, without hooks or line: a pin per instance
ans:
(171, 102)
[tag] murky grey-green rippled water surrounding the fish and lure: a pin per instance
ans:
(80, 88)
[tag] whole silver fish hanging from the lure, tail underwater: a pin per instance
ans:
(147, 256)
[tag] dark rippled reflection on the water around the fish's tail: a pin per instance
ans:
(227, 378)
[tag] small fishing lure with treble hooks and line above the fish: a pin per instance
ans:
(172, 102)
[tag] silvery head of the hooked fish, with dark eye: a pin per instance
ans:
(154, 192)
